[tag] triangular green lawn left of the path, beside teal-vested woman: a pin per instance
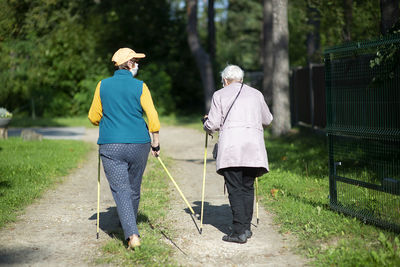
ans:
(28, 168)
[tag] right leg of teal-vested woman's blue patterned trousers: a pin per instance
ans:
(137, 160)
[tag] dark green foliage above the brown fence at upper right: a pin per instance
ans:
(365, 24)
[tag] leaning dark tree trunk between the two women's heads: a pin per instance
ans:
(202, 59)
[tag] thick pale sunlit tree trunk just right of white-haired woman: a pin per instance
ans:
(280, 75)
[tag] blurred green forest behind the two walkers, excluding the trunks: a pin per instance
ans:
(53, 52)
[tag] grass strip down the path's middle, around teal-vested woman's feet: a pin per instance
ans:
(154, 251)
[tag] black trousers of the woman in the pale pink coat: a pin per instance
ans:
(240, 184)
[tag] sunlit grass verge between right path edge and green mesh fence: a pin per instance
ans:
(299, 171)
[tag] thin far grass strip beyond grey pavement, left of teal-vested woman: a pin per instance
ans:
(51, 122)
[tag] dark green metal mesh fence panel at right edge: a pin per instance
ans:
(363, 128)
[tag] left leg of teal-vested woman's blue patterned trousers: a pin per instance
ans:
(116, 170)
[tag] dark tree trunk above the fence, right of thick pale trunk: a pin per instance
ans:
(313, 39)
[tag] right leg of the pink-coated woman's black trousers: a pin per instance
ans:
(248, 196)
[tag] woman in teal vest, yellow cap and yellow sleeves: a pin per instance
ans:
(124, 141)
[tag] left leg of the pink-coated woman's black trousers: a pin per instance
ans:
(234, 184)
